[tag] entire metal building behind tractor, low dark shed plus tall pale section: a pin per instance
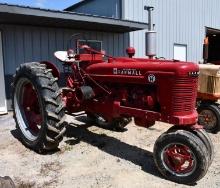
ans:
(31, 34)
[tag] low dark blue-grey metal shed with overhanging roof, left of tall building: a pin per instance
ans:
(31, 34)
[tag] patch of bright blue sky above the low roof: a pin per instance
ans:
(49, 4)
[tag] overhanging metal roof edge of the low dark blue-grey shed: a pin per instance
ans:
(117, 25)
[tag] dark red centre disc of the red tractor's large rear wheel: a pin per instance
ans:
(31, 108)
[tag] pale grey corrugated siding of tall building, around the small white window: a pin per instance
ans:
(176, 21)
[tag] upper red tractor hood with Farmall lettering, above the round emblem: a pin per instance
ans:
(140, 67)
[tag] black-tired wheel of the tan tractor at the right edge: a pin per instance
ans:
(209, 117)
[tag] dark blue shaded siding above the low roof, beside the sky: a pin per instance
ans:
(102, 8)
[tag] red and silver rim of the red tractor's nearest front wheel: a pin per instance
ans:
(179, 160)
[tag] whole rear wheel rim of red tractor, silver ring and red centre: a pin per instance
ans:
(27, 109)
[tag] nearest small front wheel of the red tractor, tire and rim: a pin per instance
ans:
(181, 156)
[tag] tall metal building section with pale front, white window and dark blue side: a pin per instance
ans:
(181, 25)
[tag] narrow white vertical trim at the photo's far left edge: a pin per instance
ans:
(3, 105)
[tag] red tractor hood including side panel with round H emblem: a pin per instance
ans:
(140, 71)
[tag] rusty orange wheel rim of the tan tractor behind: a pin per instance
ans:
(208, 119)
